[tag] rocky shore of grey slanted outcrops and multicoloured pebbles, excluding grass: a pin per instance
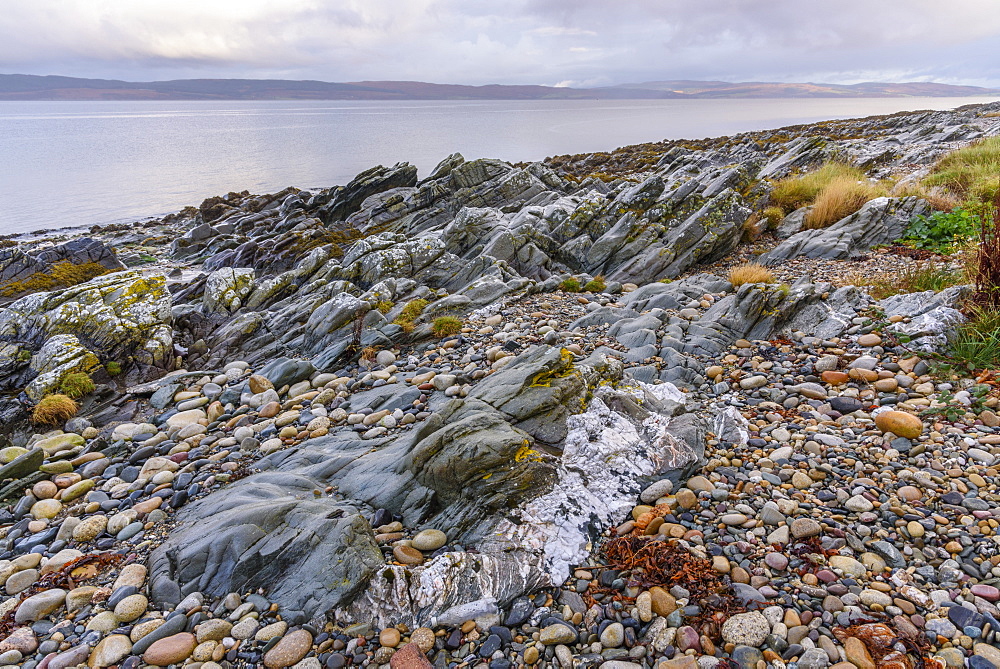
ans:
(502, 416)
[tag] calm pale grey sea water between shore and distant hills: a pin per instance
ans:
(81, 163)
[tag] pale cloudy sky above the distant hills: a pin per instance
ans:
(551, 42)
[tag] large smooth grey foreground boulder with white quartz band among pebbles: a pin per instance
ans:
(464, 471)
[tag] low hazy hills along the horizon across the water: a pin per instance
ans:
(32, 87)
